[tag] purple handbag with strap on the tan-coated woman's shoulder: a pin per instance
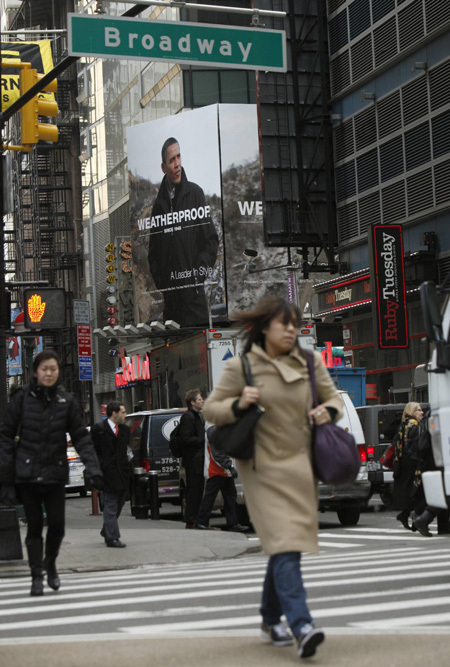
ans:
(335, 456)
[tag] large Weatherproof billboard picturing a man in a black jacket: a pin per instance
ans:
(193, 213)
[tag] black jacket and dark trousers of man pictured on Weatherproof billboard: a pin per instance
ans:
(182, 251)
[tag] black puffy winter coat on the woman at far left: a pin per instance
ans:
(45, 415)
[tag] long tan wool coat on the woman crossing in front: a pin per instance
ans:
(279, 485)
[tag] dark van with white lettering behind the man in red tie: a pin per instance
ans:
(149, 442)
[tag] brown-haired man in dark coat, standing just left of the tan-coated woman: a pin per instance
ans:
(192, 437)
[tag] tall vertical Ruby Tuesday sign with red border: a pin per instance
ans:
(390, 293)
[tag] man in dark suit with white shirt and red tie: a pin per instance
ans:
(111, 439)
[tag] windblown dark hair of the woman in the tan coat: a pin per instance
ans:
(267, 309)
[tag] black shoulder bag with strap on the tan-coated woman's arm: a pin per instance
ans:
(236, 440)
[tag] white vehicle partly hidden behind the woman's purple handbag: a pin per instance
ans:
(347, 500)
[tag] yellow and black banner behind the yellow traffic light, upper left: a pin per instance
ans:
(39, 54)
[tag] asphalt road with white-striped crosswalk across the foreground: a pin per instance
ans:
(381, 593)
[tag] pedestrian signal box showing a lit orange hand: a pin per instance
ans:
(44, 308)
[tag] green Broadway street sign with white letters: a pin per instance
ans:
(186, 43)
